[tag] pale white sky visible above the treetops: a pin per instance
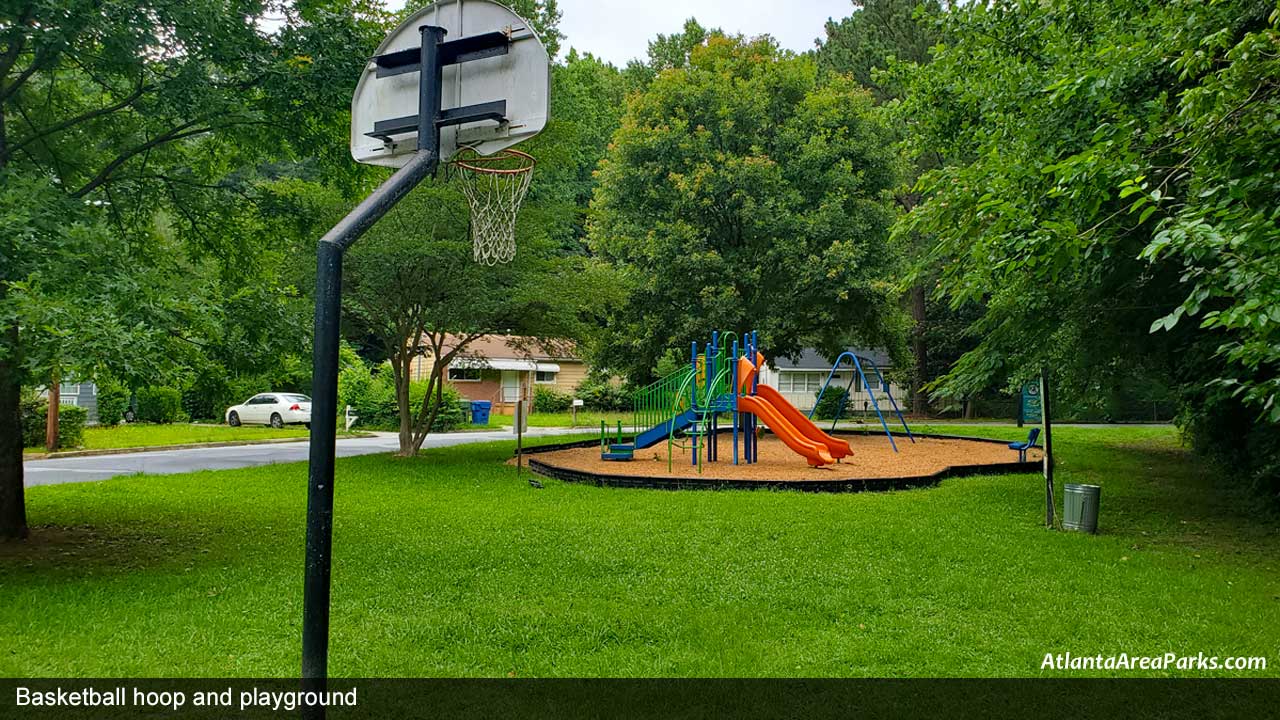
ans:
(620, 30)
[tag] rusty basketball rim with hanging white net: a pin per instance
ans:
(496, 186)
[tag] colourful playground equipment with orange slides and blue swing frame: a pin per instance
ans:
(720, 384)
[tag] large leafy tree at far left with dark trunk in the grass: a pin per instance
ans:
(125, 133)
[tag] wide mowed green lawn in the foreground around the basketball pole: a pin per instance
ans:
(451, 566)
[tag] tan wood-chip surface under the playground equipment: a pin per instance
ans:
(929, 459)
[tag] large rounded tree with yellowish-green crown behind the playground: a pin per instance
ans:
(740, 194)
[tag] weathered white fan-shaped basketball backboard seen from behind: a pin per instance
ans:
(520, 78)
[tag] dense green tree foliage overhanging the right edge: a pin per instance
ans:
(1112, 175)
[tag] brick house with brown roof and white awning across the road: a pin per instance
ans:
(504, 368)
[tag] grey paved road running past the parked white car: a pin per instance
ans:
(172, 462)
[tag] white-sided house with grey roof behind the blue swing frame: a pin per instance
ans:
(799, 381)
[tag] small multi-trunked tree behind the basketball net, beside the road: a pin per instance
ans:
(413, 288)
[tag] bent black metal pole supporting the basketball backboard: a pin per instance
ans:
(324, 407)
